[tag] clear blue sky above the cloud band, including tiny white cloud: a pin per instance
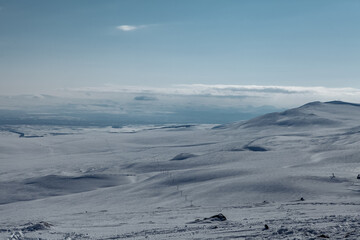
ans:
(48, 45)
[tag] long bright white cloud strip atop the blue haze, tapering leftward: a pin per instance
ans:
(254, 95)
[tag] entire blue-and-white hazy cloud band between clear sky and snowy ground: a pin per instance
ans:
(195, 103)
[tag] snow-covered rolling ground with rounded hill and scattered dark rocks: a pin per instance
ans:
(294, 171)
